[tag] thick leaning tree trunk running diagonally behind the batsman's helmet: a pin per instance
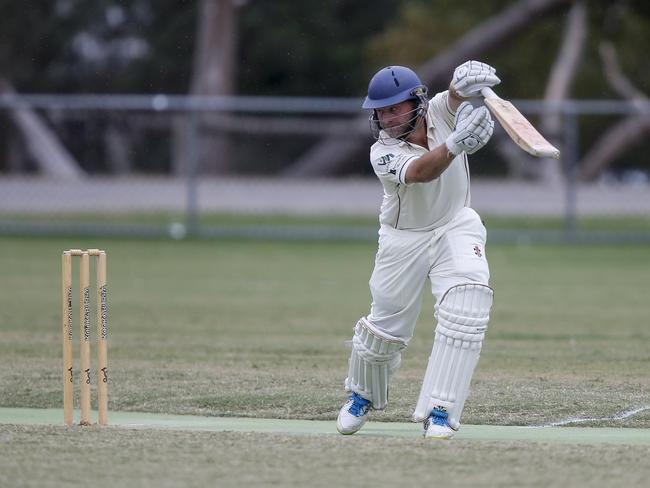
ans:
(331, 155)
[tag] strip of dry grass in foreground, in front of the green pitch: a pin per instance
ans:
(200, 459)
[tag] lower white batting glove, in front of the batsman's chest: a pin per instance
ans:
(473, 129)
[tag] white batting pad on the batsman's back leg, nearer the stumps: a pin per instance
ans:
(375, 358)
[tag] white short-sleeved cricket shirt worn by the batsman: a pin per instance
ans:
(421, 206)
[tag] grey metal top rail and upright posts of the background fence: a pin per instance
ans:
(304, 116)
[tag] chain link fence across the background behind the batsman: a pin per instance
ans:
(182, 166)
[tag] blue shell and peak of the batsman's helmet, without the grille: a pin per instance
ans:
(391, 85)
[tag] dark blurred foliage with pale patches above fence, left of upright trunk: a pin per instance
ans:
(101, 46)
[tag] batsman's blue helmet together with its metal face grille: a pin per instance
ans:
(390, 86)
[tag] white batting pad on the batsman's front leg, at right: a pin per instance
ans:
(463, 315)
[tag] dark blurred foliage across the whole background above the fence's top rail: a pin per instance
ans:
(309, 48)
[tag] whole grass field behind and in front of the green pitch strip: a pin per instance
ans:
(256, 329)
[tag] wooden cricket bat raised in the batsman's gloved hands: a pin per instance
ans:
(518, 128)
